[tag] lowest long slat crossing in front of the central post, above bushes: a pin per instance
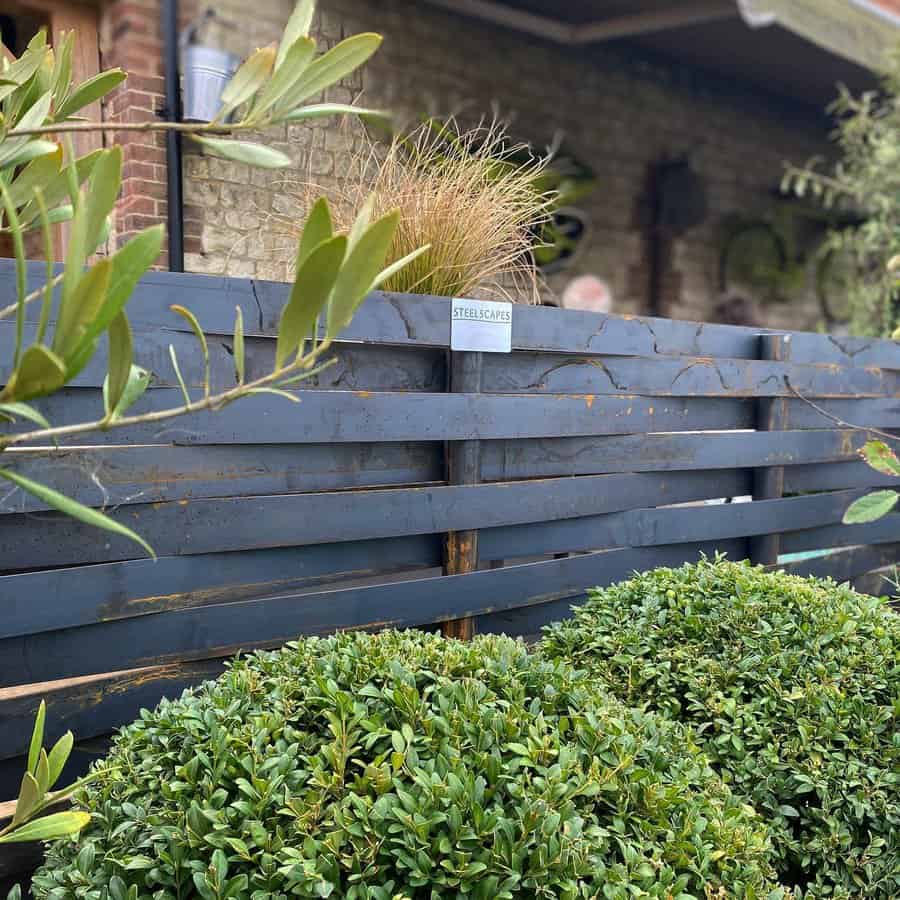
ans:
(200, 633)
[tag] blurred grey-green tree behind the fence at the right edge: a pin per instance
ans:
(865, 182)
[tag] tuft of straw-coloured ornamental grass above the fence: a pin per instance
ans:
(459, 192)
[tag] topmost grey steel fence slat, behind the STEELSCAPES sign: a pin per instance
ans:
(425, 321)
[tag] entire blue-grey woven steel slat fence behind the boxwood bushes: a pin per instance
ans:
(584, 454)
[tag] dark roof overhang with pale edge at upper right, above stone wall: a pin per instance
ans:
(799, 49)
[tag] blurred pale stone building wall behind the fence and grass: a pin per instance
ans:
(618, 113)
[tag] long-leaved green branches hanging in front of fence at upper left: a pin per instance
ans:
(41, 184)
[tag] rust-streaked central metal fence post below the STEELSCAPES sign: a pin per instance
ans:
(463, 467)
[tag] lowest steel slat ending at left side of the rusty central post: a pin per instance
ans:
(82, 595)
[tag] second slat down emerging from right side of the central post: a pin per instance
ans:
(665, 452)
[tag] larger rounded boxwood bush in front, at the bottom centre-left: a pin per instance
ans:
(403, 765)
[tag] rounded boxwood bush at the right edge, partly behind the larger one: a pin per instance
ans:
(792, 684)
